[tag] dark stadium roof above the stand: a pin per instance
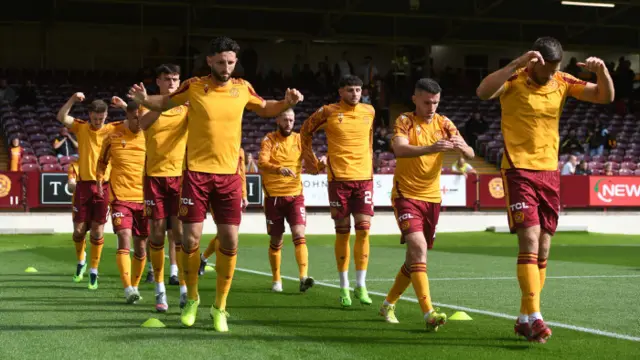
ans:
(473, 22)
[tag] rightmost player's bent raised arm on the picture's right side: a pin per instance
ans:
(601, 93)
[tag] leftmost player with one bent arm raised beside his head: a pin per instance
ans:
(89, 208)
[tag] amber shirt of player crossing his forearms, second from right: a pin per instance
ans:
(419, 177)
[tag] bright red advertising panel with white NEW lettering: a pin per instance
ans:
(608, 191)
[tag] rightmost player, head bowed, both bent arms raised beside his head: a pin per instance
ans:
(532, 92)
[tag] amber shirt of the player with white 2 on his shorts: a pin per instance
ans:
(349, 131)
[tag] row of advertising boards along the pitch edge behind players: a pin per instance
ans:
(32, 190)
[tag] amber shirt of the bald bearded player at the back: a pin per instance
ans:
(284, 152)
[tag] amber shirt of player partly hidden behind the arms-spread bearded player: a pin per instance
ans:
(166, 142)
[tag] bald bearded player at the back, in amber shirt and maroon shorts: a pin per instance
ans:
(280, 165)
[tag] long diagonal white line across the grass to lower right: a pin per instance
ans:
(471, 310)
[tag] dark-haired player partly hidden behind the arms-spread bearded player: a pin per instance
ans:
(166, 136)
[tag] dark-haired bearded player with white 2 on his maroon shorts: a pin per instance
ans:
(349, 129)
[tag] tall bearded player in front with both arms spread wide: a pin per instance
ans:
(212, 178)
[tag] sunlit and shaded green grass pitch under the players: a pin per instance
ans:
(47, 315)
